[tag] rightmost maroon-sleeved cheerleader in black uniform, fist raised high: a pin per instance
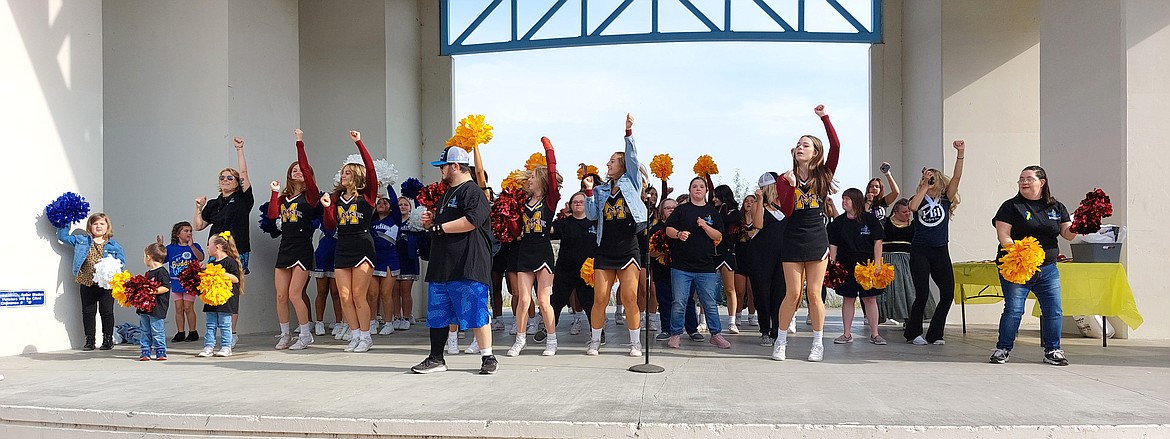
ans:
(806, 248)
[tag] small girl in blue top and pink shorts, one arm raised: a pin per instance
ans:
(181, 253)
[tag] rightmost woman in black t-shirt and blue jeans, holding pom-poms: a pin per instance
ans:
(1034, 212)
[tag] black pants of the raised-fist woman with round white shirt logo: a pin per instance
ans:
(927, 263)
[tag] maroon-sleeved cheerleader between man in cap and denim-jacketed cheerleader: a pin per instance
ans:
(534, 250)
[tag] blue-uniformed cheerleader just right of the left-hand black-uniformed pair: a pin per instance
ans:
(386, 231)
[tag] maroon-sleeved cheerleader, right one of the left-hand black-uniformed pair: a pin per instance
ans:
(355, 202)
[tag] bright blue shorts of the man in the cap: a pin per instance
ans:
(458, 303)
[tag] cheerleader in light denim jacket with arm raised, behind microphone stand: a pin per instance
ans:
(618, 222)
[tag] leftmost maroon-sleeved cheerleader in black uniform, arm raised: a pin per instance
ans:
(295, 207)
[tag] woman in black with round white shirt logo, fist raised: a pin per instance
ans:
(934, 205)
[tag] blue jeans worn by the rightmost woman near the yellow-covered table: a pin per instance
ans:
(1045, 285)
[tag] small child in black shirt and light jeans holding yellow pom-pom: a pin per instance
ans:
(219, 318)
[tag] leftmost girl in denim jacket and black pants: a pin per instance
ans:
(90, 249)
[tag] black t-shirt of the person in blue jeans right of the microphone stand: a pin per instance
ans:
(697, 255)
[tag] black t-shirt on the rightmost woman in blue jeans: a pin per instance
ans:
(1037, 219)
